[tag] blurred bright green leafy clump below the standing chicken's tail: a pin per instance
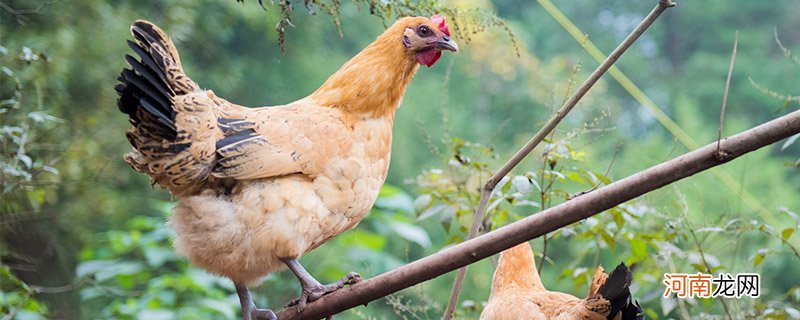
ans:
(134, 274)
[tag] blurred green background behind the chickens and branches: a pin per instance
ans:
(83, 235)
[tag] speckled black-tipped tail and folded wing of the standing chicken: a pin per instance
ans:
(187, 139)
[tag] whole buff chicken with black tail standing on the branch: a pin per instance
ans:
(259, 187)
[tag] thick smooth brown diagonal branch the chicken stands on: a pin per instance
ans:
(549, 220)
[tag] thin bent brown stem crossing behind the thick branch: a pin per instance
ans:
(536, 139)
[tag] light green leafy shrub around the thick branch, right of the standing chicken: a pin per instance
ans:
(652, 239)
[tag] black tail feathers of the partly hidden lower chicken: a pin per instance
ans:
(616, 289)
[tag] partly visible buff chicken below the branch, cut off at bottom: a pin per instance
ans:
(518, 293)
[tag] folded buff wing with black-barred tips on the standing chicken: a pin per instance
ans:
(282, 140)
